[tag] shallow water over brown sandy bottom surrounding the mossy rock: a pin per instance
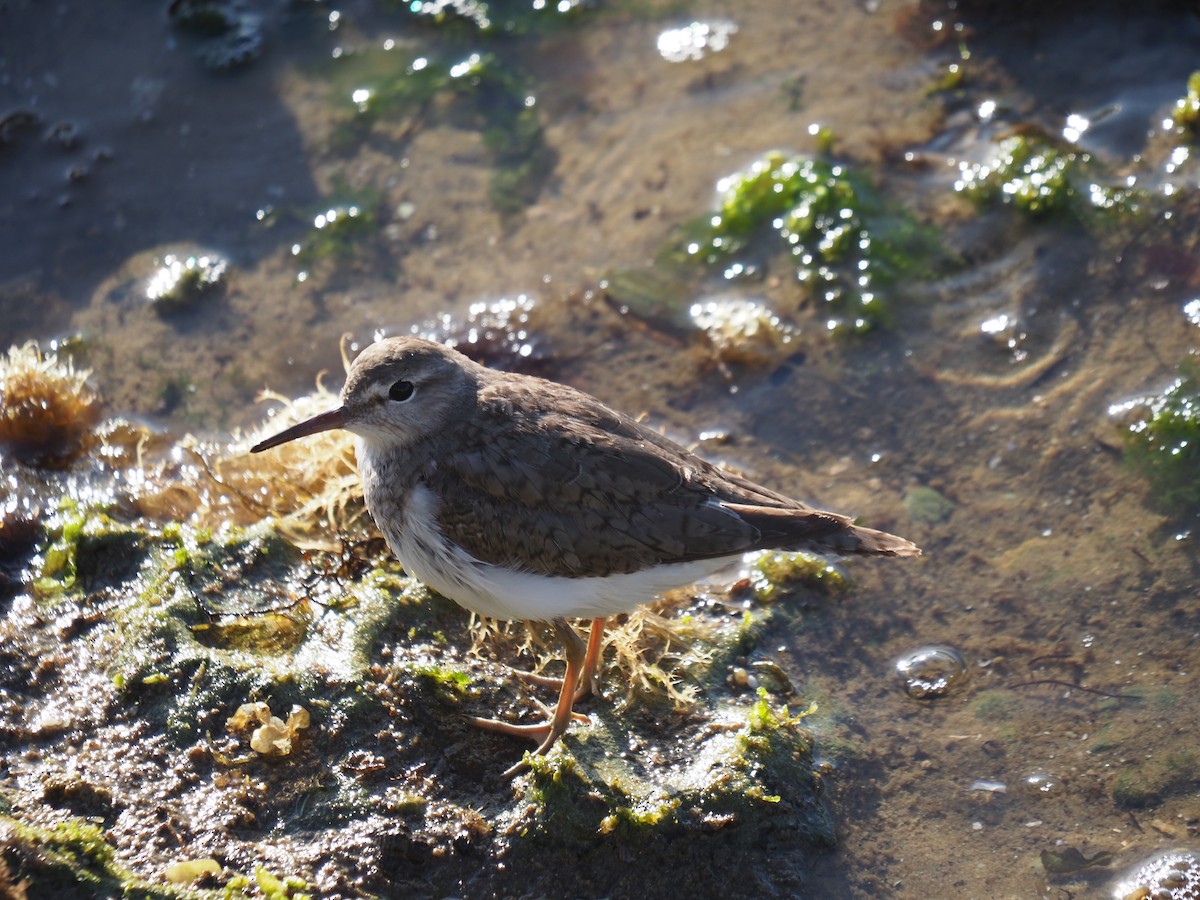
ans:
(1070, 596)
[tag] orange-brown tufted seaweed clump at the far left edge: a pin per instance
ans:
(47, 410)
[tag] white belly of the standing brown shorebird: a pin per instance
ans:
(507, 595)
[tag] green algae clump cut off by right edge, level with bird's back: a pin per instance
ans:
(1163, 445)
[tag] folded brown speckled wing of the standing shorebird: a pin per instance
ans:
(571, 488)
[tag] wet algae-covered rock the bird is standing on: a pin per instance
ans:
(221, 638)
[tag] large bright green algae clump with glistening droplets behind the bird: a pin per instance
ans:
(848, 247)
